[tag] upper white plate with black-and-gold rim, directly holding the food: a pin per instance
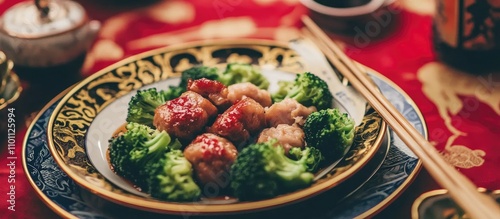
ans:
(86, 118)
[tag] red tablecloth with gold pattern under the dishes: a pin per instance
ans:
(461, 110)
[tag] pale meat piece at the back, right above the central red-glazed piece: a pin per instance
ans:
(239, 90)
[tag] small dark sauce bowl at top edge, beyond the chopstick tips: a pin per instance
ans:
(369, 18)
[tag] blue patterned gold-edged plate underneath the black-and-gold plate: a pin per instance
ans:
(69, 200)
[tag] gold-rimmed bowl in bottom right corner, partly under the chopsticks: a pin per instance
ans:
(438, 204)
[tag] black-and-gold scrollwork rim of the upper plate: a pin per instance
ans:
(90, 179)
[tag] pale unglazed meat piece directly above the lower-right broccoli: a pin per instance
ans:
(288, 136)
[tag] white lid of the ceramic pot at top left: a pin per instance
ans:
(42, 18)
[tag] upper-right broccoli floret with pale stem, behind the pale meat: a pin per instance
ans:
(308, 89)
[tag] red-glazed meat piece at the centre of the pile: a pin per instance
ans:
(240, 121)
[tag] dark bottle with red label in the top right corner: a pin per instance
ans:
(467, 34)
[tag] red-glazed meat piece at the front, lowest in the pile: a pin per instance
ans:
(211, 157)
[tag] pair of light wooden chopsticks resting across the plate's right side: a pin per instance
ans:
(460, 188)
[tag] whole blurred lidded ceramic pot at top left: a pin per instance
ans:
(45, 35)
